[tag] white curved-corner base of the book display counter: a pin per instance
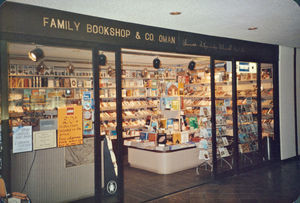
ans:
(164, 162)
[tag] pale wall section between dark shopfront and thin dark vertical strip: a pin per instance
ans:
(286, 102)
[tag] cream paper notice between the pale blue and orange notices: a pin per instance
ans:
(44, 139)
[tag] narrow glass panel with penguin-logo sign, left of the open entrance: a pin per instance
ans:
(108, 126)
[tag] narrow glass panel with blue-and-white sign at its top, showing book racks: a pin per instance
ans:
(247, 113)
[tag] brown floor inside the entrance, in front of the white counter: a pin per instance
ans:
(140, 185)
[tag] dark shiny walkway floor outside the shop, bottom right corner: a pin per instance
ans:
(279, 182)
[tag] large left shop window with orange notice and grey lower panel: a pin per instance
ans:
(51, 119)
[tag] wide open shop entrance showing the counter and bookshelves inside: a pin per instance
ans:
(166, 109)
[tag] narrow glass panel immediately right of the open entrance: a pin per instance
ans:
(224, 124)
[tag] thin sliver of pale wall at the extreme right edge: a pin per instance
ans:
(298, 95)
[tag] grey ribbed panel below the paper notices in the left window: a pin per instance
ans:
(50, 181)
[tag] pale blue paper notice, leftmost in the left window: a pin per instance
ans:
(22, 139)
